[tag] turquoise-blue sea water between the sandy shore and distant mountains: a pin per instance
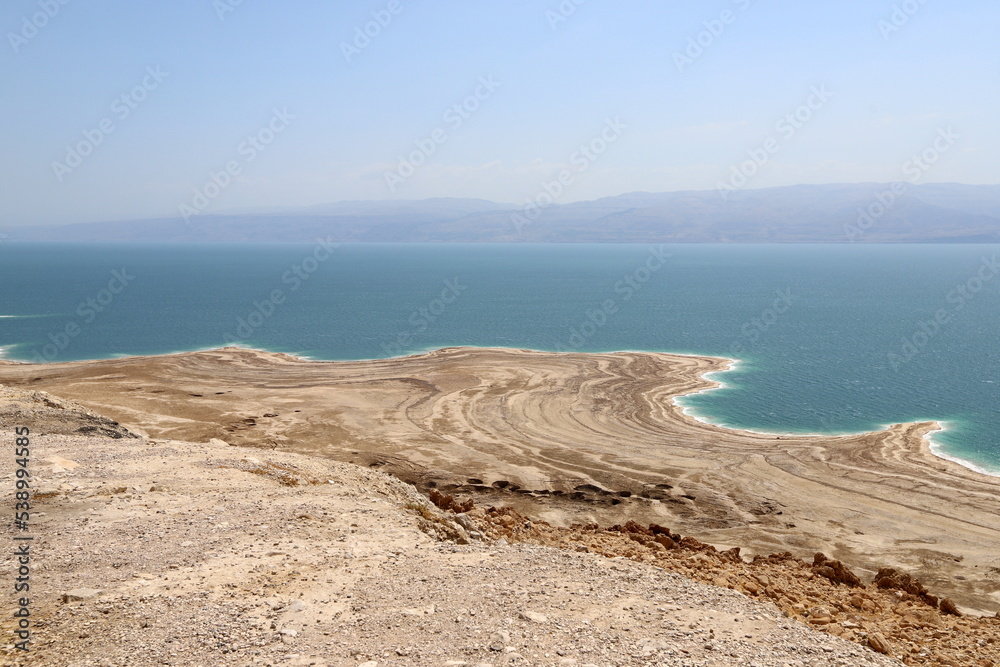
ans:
(829, 339)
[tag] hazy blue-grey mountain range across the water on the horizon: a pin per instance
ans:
(850, 213)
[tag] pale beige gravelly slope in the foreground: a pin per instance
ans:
(155, 552)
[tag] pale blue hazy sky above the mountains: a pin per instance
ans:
(127, 109)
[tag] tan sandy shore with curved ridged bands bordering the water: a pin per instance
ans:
(575, 438)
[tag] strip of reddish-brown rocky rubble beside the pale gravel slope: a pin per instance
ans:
(893, 614)
